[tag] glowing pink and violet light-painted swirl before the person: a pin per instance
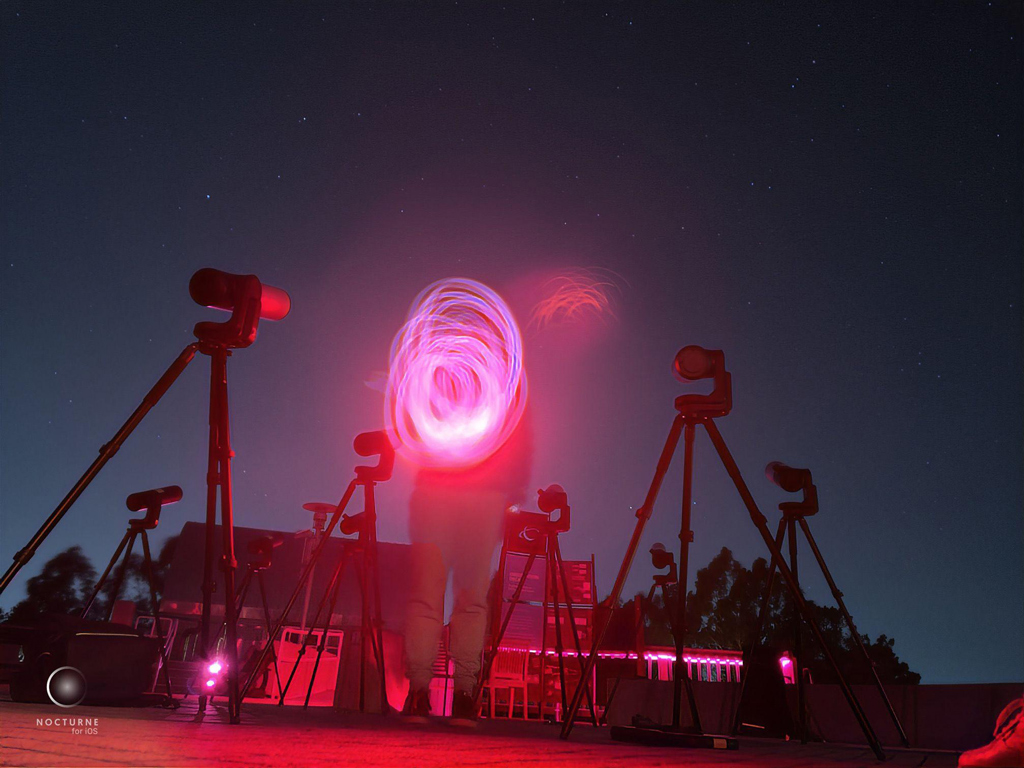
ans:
(457, 388)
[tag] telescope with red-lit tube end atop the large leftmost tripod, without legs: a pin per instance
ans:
(245, 297)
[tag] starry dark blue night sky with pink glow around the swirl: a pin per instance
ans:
(830, 193)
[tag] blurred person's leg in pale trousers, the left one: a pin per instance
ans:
(424, 614)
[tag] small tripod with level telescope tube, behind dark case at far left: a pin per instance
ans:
(152, 502)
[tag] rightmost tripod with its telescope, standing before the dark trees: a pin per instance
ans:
(795, 514)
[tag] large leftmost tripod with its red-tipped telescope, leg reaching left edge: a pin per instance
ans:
(248, 301)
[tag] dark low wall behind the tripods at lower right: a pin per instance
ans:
(935, 717)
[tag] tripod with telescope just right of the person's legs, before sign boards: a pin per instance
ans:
(543, 541)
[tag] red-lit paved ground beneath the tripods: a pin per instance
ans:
(272, 737)
